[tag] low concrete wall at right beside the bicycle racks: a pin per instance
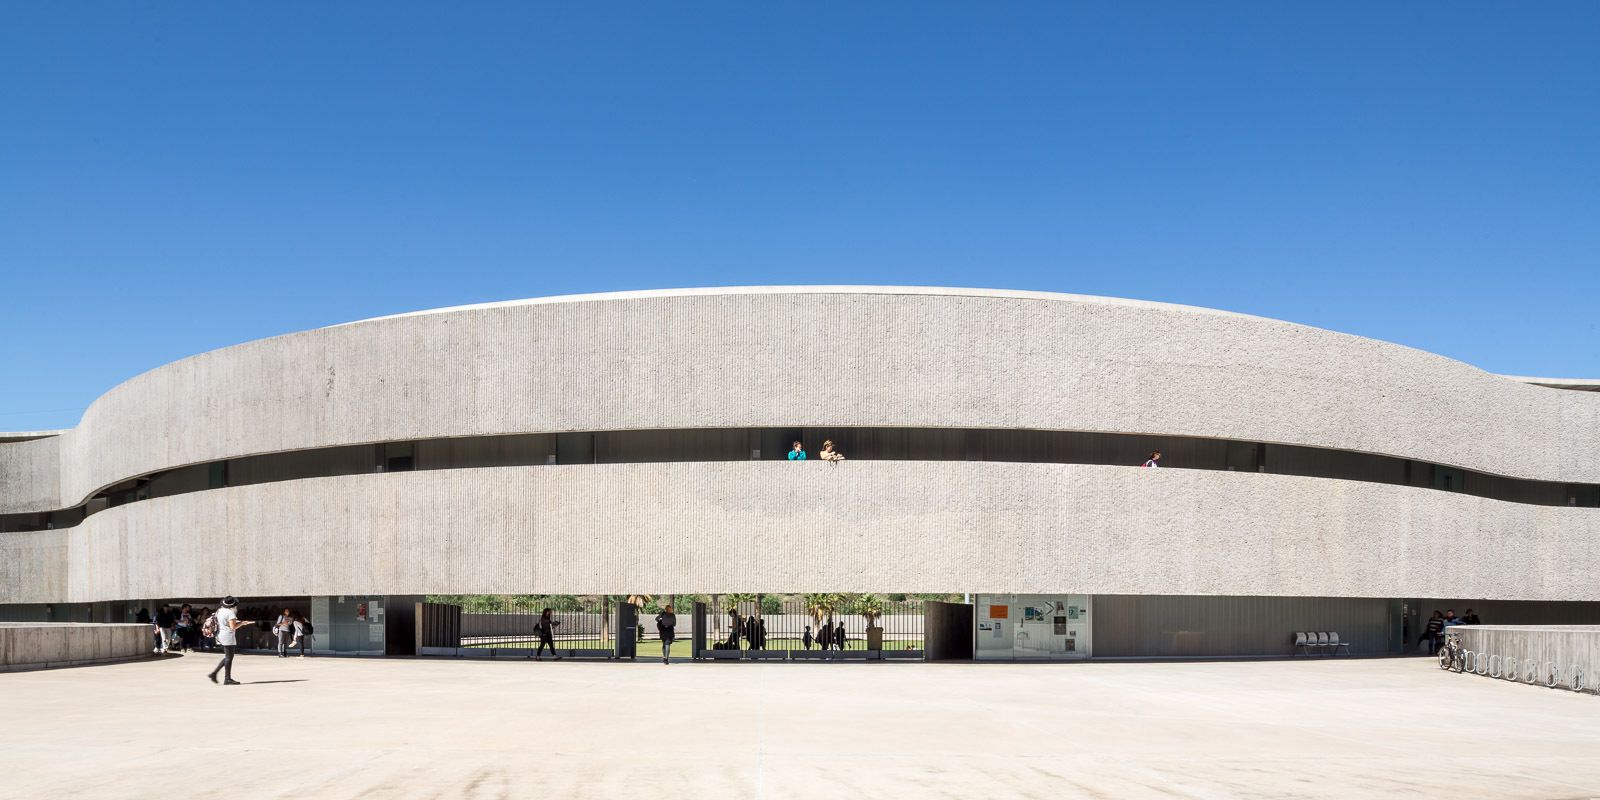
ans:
(1553, 655)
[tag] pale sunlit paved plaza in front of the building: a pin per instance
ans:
(399, 729)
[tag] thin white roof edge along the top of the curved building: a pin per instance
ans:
(956, 292)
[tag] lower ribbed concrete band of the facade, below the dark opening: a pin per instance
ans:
(882, 527)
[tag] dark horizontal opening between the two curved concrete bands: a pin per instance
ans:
(774, 444)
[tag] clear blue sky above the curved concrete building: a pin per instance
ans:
(177, 178)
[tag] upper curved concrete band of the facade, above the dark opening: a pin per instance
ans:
(812, 358)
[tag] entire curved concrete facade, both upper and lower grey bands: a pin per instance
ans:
(812, 358)
